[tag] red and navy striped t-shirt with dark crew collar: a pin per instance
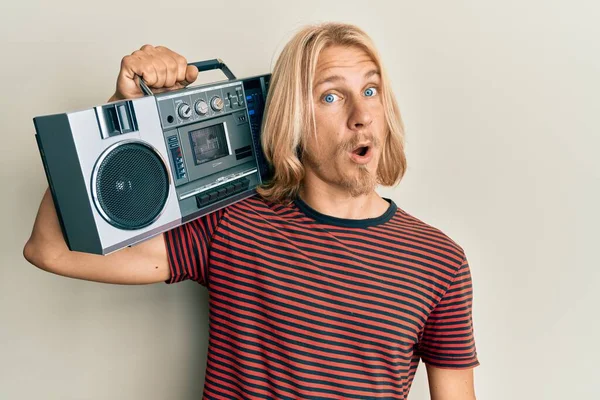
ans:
(309, 306)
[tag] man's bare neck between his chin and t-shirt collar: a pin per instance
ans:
(338, 203)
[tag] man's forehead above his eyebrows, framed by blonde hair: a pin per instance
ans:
(337, 60)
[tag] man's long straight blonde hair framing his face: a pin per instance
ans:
(289, 111)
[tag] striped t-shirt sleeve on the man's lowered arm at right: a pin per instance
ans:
(448, 339)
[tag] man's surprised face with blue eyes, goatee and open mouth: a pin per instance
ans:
(350, 121)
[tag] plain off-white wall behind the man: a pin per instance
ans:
(501, 106)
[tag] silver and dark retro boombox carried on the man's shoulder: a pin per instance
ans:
(128, 170)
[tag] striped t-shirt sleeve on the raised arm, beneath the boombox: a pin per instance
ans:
(188, 248)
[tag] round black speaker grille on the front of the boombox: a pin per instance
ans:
(132, 186)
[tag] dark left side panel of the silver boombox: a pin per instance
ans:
(67, 183)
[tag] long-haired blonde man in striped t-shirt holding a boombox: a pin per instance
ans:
(319, 287)
